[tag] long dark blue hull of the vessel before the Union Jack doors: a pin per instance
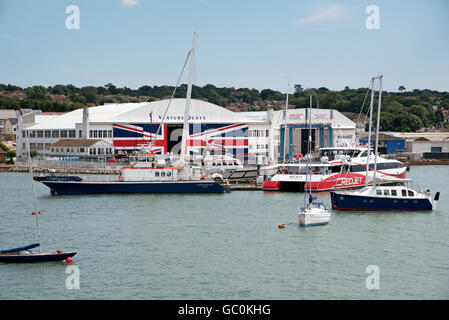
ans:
(74, 187)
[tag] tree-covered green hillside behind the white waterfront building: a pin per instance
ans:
(401, 111)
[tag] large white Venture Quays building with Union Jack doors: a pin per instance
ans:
(252, 137)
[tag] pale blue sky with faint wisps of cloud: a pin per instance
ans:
(241, 43)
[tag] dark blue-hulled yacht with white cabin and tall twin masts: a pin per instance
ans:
(377, 198)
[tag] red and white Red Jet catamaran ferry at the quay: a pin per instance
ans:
(338, 168)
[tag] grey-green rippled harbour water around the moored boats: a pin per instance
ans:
(222, 246)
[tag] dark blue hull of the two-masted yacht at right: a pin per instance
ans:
(351, 202)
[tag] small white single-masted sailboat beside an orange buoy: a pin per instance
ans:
(314, 212)
